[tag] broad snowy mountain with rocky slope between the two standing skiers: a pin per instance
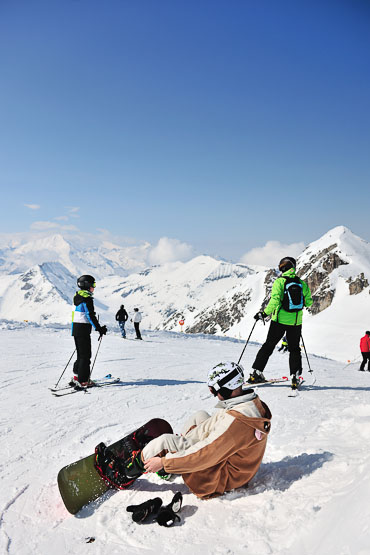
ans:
(189, 290)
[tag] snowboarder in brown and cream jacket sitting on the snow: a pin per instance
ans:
(214, 454)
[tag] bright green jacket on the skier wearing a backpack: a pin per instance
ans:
(277, 294)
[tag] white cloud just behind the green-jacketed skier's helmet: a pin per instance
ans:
(271, 253)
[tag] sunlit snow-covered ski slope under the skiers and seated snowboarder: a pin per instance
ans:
(311, 494)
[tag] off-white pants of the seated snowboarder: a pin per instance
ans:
(172, 442)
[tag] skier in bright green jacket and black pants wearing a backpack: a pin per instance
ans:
(289, 295)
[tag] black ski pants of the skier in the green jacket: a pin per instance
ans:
(275, 334)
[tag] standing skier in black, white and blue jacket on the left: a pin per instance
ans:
(83, 319)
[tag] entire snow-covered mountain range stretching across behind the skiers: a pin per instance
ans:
(212, 296)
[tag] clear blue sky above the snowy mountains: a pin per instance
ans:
(222, 124)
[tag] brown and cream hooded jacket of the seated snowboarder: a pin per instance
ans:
(228, 450)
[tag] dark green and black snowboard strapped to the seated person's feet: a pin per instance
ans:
(80, 483)
